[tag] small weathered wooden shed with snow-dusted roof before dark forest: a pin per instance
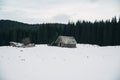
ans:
(66, 41)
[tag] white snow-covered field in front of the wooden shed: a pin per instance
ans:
(86, 62)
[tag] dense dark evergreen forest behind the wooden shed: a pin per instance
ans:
(103, 33)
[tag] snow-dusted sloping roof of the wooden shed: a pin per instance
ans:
(66, 39)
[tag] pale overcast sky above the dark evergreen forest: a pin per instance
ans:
(60, 11)
